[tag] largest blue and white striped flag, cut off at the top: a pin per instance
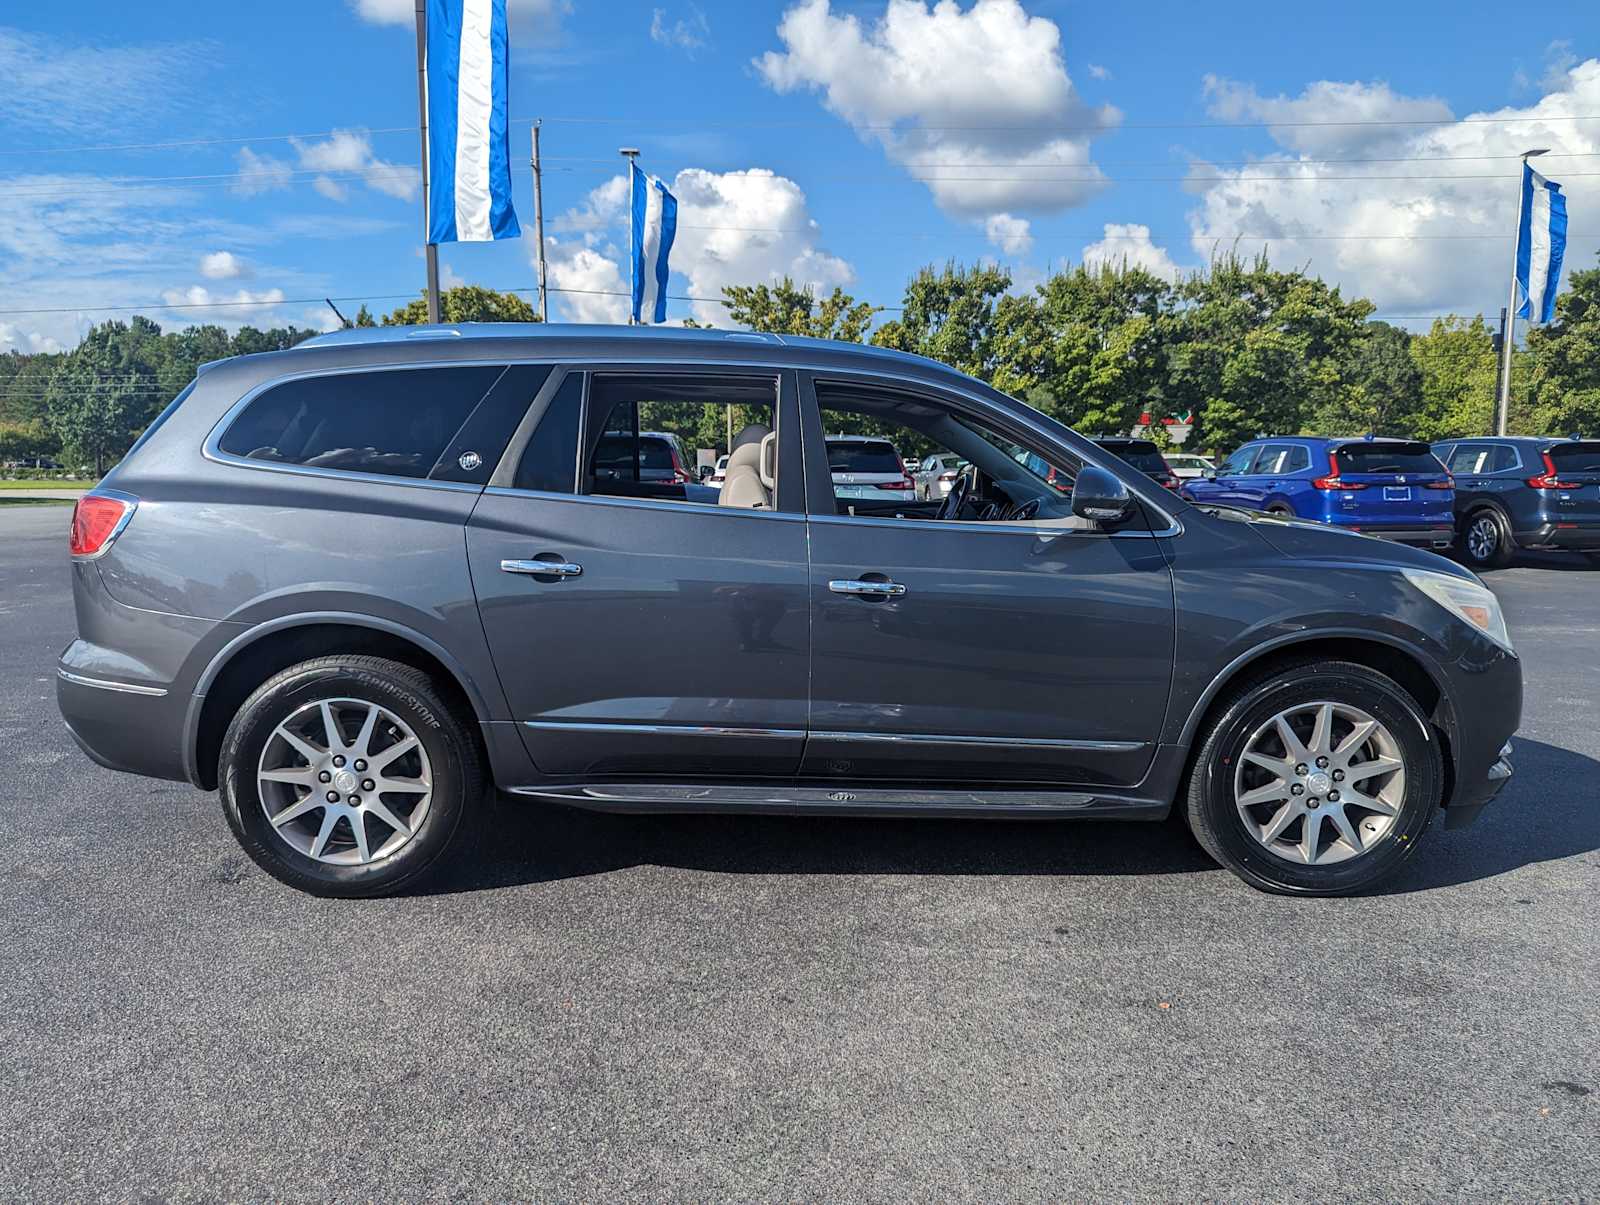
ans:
(468, 150)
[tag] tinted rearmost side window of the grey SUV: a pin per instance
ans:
(393, 423)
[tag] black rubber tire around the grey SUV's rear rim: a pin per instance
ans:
(292, 691)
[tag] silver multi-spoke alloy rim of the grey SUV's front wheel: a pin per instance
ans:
(1321, 783)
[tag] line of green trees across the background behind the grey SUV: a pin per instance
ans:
(1241, 348)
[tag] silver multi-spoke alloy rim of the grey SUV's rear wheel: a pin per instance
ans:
(345, 782)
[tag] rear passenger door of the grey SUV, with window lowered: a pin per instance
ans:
(670, 635)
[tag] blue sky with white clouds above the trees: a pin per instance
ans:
(841, 143)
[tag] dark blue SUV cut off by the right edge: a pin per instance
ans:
(1524, 492)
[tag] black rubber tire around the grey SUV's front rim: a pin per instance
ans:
(1378, 697)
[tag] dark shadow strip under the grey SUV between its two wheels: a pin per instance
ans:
(538, 843)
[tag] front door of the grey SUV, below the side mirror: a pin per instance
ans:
(1014, 652)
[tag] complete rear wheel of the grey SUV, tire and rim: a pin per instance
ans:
(348, 775)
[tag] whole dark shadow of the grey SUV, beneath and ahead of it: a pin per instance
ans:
(1538, 819)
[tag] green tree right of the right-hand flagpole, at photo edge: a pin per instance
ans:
(1564, 364)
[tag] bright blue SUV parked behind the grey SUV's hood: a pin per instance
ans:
(1391, 489)
